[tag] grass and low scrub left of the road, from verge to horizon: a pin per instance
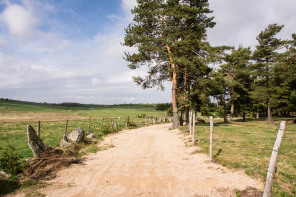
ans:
(16, 115)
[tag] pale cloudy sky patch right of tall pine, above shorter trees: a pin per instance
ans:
(239, 22)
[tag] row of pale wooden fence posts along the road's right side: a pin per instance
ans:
(273, 159)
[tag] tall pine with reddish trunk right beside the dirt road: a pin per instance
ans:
(169, 35)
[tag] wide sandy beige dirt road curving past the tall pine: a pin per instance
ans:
(150, 161)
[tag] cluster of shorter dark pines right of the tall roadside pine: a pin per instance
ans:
(262, 81)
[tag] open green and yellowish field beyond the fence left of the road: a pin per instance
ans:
(15, 116)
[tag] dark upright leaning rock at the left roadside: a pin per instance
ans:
(35, 143)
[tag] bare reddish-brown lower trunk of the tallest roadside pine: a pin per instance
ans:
(176, 123)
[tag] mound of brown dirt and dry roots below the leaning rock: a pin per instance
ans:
(49, 162)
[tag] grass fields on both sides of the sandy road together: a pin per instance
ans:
(239, 145)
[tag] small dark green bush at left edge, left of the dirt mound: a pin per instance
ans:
(10, 161)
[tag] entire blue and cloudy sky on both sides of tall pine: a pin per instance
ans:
(69, 50)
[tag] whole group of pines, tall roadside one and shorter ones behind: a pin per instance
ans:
(171, 41)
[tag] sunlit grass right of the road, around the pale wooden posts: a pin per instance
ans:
(248, 146)
